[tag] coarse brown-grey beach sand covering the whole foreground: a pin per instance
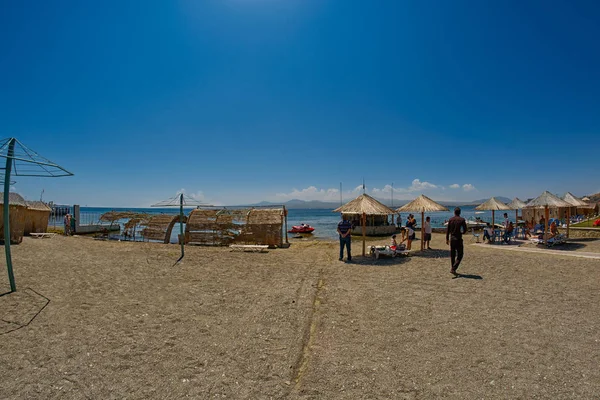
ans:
(101, 320)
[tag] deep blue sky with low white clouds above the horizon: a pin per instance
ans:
(238, 101)
